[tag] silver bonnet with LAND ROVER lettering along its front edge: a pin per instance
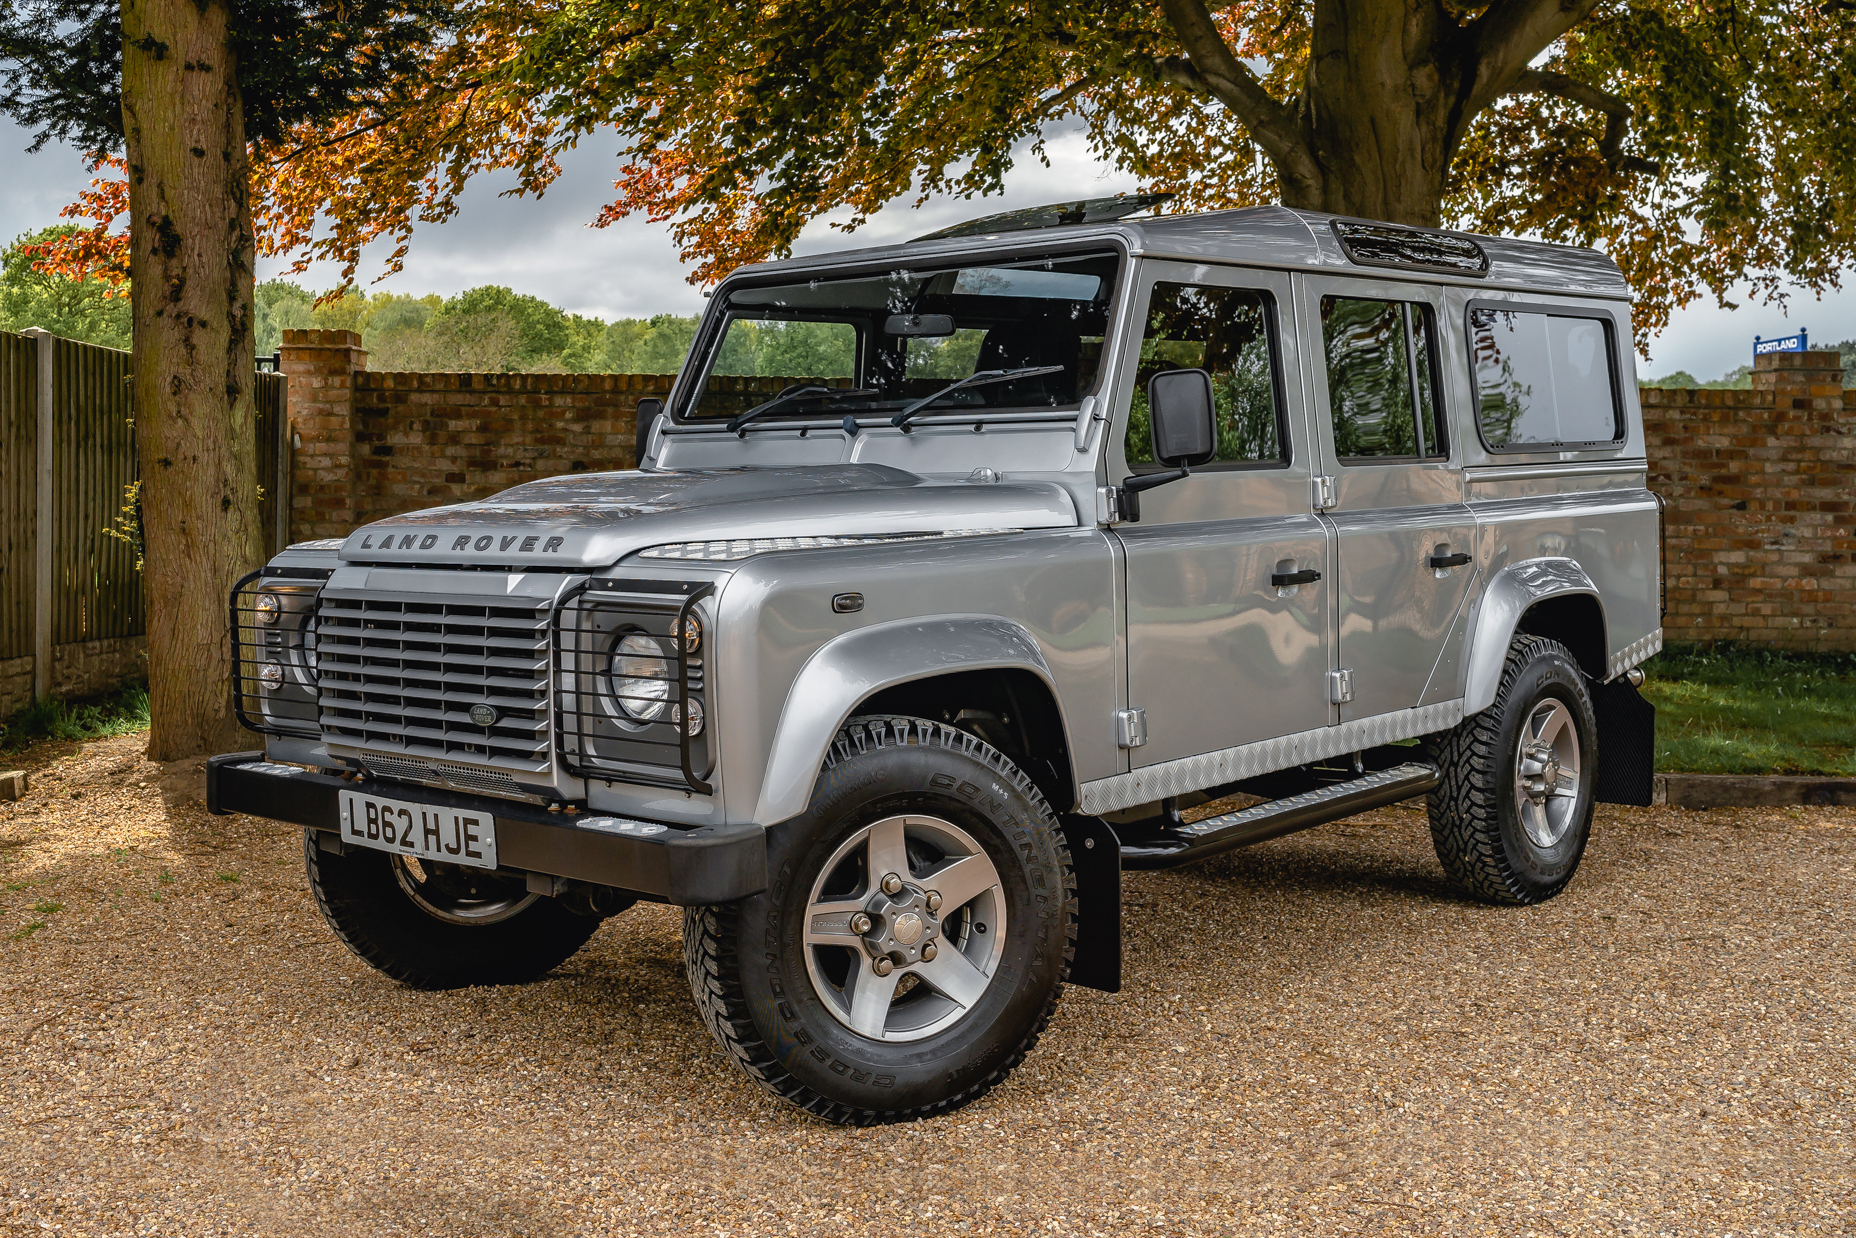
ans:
(591, 521)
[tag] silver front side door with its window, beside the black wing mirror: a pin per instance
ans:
(1218, 652)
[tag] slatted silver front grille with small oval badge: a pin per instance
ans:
(402, 678)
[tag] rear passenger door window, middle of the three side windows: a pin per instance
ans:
(1382, 385)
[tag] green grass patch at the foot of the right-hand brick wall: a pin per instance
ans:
(1736, 710)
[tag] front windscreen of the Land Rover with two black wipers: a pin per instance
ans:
(881, 342)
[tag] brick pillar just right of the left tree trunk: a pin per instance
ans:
(320, 368)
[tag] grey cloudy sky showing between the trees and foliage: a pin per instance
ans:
(632, 270)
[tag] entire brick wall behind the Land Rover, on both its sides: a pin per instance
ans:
(1759, 484)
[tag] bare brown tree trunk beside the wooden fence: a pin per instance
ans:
(192, 305)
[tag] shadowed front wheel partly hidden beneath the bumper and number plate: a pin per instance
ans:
(441, 927)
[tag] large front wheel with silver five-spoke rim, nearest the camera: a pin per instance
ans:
(914, 938)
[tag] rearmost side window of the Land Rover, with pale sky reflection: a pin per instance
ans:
(1543, 380)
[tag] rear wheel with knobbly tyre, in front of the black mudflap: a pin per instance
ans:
(1514, 810)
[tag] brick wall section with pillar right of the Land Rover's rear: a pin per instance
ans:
(1760, 485)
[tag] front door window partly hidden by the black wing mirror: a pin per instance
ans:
(1224, 331)
